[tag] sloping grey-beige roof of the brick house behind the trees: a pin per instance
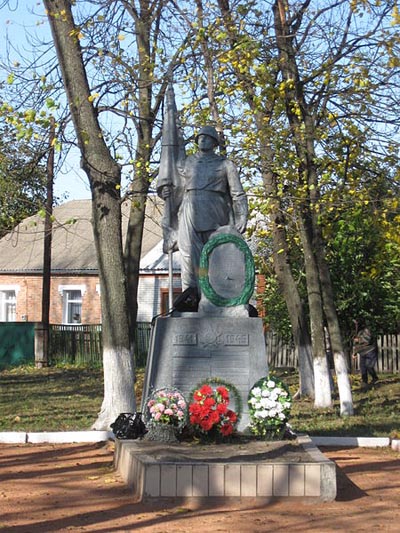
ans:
(73, 250)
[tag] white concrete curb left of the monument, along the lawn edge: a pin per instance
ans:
(56, 437)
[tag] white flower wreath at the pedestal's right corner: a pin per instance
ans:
(269, 407)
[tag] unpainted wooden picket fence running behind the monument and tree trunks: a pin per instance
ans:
(82, 344)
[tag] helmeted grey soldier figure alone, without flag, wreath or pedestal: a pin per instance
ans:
(210, 195)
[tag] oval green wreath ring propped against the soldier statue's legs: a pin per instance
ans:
(204, 281)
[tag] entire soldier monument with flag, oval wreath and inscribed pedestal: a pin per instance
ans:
(205, 213)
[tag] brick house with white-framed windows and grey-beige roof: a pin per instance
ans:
(75, 289)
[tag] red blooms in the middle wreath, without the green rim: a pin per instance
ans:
(209, 413)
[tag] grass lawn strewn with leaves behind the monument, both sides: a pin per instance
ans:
(65, 399)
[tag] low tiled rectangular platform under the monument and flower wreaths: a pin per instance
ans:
(261, 470)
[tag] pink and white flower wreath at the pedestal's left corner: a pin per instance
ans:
(166, 406)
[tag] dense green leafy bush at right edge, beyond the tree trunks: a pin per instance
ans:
(362, 235)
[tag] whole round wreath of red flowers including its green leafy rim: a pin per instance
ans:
(209, 412)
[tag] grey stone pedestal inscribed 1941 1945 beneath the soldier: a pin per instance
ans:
(188, 349)
